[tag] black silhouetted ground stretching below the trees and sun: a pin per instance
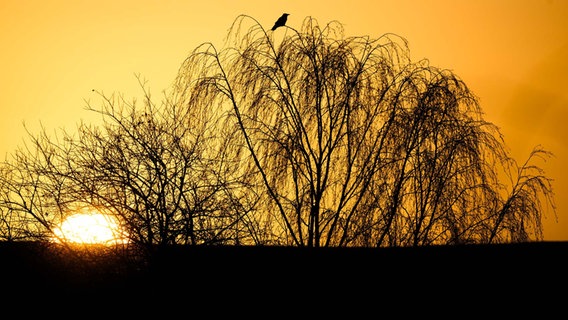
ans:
(512, 276)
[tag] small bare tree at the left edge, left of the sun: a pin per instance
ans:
(32, 196)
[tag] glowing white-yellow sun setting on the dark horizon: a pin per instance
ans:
(90, 228)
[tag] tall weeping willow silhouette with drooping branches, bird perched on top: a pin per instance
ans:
(354, 144)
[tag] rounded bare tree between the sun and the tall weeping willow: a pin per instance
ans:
(159, 169)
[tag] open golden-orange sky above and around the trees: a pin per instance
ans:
(511, 53)
